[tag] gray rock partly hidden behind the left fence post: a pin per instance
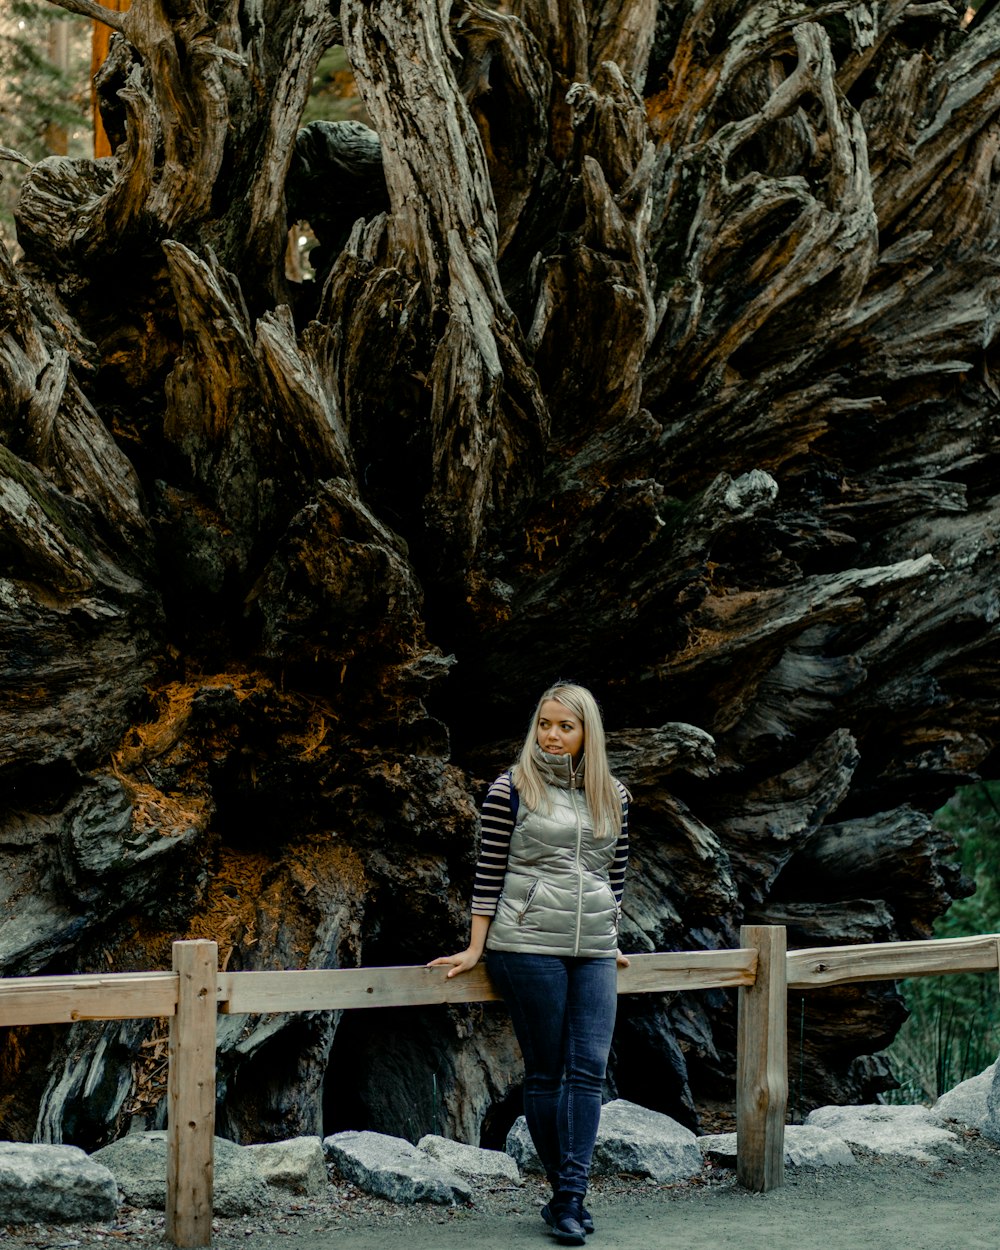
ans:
(139, 1166)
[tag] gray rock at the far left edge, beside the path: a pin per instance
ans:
(53, 1186)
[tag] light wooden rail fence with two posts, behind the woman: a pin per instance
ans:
(196, 991)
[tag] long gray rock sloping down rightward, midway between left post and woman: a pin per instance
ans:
(394, 1169)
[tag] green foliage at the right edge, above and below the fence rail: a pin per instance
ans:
(954, 1027)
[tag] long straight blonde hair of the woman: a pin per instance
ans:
(603, 796)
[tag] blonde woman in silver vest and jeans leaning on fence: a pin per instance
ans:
(546, 907)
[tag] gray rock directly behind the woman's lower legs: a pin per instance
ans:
(631, 1139)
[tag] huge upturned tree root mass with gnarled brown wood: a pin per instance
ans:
(654, 347)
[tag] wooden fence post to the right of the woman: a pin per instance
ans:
(762, 1063)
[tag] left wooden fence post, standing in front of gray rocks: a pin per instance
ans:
(192, 1096)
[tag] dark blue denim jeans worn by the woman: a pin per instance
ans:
(563, 1012)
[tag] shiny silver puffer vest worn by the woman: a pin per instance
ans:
(557, 898)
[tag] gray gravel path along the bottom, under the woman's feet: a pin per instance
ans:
(882, 1204)
